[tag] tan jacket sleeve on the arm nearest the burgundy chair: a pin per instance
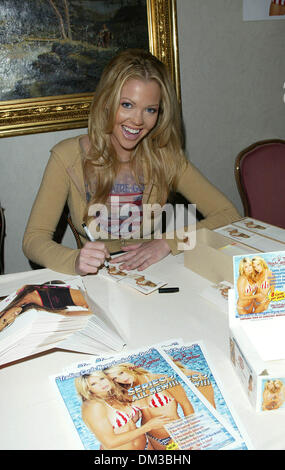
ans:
(216, 209)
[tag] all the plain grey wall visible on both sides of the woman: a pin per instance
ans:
(232, 76)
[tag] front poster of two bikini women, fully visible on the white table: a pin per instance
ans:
(127, 401)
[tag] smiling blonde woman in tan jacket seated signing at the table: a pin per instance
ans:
(132, 156)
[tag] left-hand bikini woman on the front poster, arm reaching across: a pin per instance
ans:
(110, 414)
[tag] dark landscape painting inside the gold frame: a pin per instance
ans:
(59, 47)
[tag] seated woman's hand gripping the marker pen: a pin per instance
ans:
(90, 258)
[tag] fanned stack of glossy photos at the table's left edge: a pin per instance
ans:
(36, 318)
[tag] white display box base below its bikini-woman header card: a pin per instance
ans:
(263, 380)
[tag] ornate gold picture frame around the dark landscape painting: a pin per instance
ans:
(55, 113)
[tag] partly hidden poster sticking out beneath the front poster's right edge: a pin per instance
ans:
(193, 361)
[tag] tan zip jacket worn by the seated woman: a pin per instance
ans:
(63, 182)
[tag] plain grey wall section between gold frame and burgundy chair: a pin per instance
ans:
(232, 77)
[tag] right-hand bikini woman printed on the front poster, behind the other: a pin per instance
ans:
(160, 404)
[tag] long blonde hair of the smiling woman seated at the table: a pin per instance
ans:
(160, 151)
